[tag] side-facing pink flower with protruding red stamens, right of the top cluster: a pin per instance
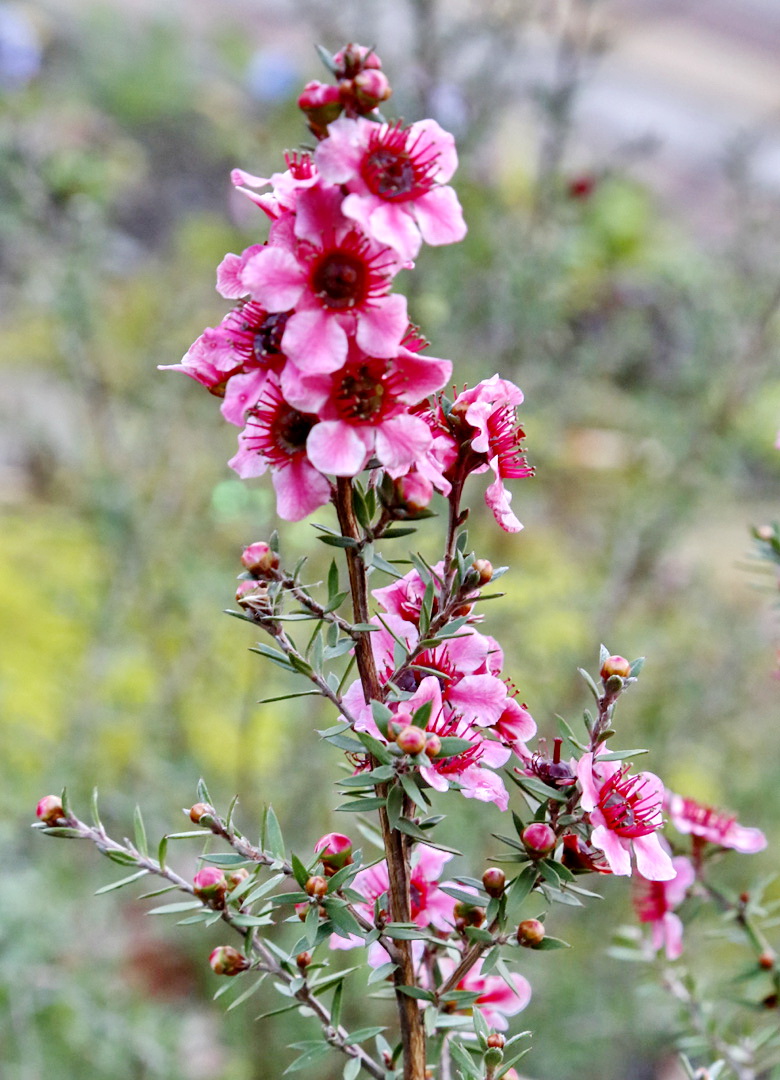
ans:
(486, 423)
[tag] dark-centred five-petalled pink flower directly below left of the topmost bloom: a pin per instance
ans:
(337, 279)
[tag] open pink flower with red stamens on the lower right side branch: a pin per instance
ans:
(626, 813)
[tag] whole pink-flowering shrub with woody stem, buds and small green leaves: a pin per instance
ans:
(337, 397)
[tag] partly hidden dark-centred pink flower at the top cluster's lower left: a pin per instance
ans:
(275, 438)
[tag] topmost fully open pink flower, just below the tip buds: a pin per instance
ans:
(397, 179)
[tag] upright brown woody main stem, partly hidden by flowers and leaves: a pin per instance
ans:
(413, 1038)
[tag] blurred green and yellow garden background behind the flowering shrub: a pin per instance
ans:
(621, 177)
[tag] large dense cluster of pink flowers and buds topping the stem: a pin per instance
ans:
(318, 363)
